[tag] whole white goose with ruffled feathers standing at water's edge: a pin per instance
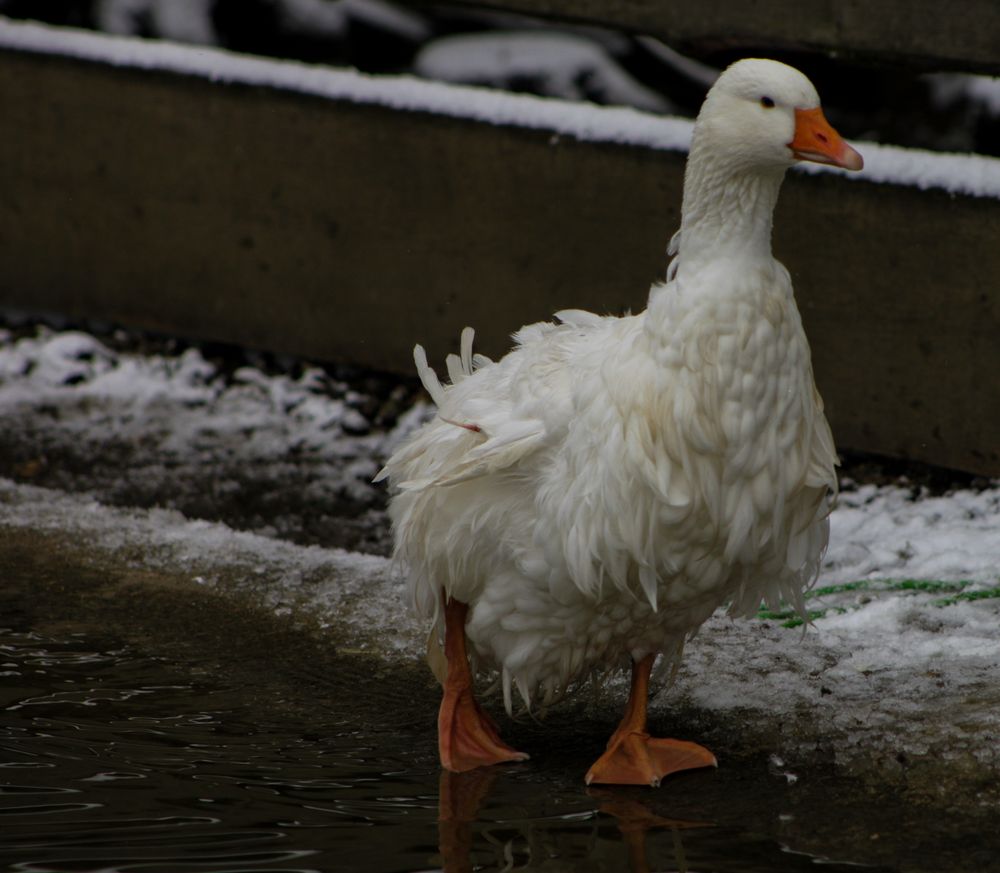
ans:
(592, 497)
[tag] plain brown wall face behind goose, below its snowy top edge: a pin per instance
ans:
(344, 232)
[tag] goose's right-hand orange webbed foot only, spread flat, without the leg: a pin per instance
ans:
(636, 758)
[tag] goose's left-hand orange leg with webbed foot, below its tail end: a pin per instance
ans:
(467, 737)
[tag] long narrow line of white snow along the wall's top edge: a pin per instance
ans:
(972, 175)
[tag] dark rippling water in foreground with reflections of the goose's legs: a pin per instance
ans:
(115, 760)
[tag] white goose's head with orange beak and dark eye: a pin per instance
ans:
(763, 114)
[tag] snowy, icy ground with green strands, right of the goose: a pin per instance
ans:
(901, 662)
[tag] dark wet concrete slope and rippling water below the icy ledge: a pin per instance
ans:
(149, 721)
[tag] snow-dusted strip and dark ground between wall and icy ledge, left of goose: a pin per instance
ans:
(290, 454)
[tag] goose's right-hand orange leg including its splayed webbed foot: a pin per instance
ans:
(633, 757)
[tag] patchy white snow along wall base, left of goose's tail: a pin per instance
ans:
(182, 416)
